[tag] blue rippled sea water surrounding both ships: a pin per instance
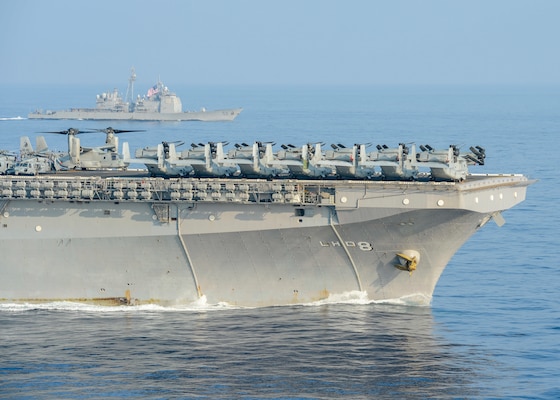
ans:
(491, 332)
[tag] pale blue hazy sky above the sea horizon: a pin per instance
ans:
(280, 41)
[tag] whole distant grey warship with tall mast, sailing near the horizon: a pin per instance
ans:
(158, 104)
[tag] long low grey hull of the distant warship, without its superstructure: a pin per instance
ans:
(90, 114)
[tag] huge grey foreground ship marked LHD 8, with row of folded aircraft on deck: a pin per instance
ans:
(298, 226)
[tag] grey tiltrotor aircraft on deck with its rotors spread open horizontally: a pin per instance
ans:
(93, 158)
